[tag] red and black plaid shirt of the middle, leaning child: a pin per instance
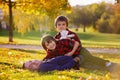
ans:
(62, 47)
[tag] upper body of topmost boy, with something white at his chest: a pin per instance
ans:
(61, 24)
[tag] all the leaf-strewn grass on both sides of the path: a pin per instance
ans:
(11, 60)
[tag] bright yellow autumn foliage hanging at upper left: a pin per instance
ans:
(27, 13)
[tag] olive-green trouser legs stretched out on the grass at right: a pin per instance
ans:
(92, 60)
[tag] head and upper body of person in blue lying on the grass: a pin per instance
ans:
(57, 63)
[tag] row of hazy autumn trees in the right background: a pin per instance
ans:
(102, 17)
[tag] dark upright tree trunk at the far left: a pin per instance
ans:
(10, 27)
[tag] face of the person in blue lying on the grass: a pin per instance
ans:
(32, 64)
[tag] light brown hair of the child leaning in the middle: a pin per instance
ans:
(46, 38)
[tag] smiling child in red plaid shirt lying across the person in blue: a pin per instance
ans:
(55, 48)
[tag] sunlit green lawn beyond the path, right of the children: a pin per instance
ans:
(95, 39)
